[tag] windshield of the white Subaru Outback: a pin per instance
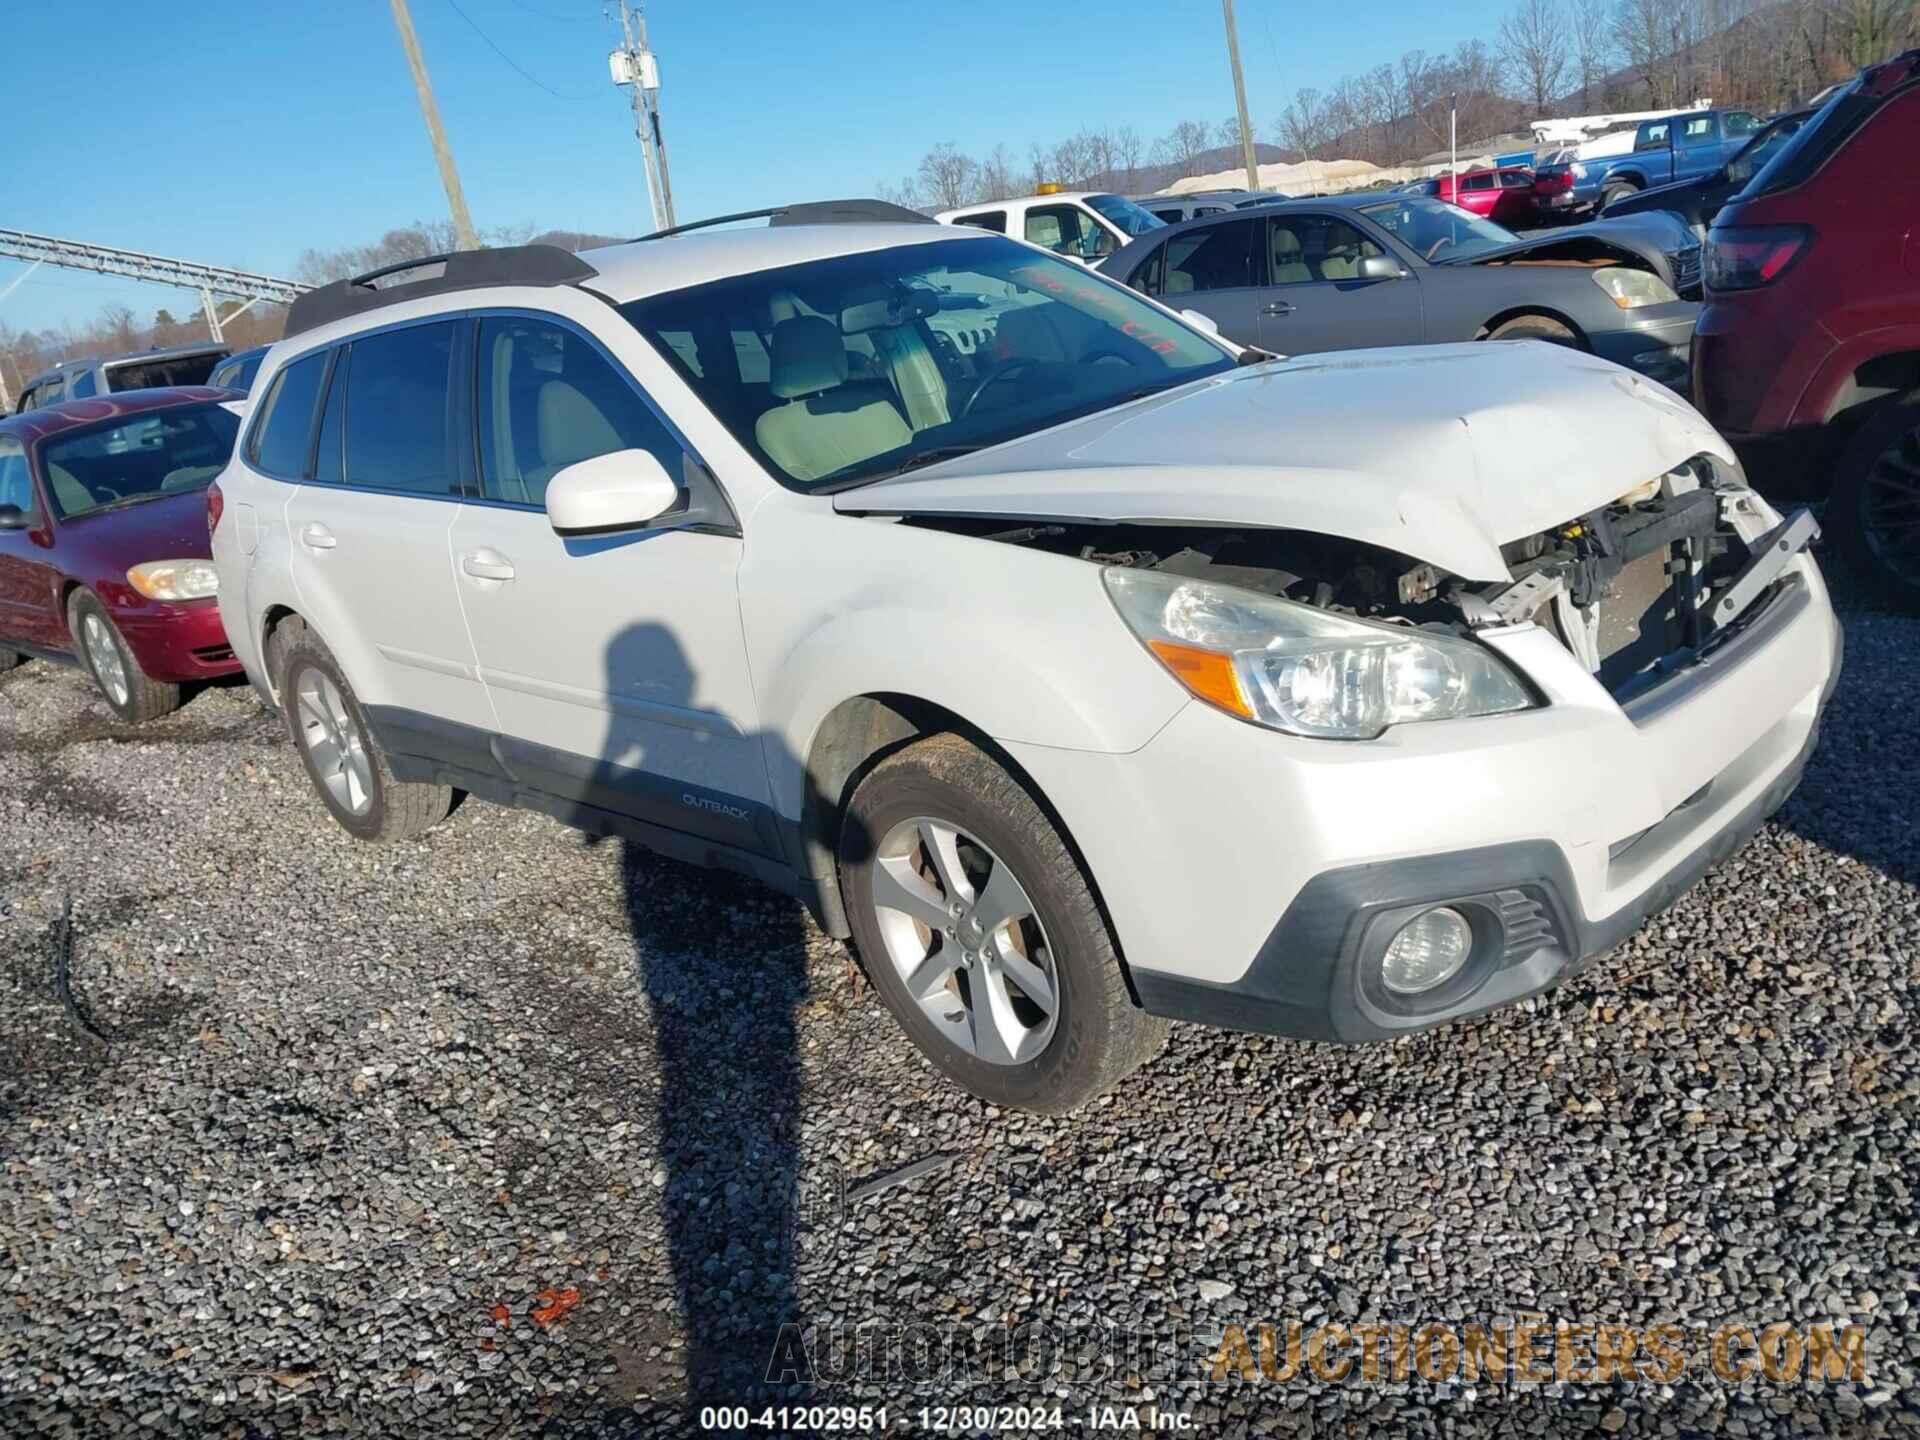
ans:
(857, 368)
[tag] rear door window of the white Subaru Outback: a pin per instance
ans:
(398, 402)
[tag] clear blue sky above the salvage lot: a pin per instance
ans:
(247, 132)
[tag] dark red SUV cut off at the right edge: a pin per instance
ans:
(1808, 352)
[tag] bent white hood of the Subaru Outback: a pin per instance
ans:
(1443, 454)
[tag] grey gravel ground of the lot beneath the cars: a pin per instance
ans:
(506, 1132)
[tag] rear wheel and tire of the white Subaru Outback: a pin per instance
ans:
(345, 761)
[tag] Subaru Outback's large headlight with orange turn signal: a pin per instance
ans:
(1305, 671)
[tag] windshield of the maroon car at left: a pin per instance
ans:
(139, 458)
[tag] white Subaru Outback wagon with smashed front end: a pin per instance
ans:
(1086, 671)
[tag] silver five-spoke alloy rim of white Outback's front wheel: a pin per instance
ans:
(965, 942)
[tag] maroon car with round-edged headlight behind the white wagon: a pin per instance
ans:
(105, 542)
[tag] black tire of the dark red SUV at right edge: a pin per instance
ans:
(1879, 489)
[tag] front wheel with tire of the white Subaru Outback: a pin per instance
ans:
(944, 796)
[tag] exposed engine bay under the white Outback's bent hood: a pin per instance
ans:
(1635, 590)
